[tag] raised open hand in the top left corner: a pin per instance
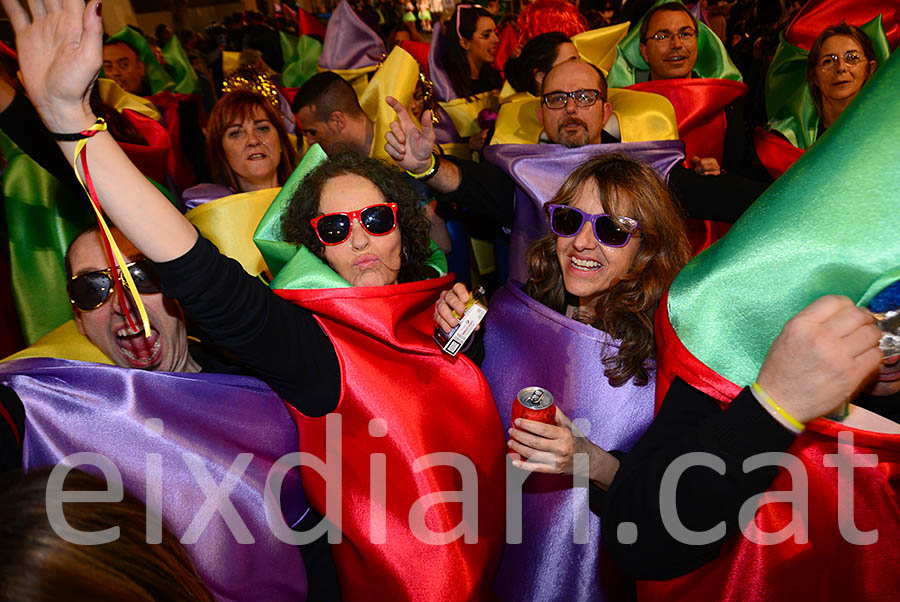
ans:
(60, 53)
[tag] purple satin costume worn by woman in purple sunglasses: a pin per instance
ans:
(527, 343)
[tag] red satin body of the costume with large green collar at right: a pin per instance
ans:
(827, 567)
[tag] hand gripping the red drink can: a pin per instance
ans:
(552, 449)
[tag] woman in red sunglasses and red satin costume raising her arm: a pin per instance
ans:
(347, 334)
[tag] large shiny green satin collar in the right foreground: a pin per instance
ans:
(818, 230)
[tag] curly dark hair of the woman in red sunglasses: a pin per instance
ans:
(393, 184)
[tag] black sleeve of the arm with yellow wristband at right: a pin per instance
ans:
(688, 421)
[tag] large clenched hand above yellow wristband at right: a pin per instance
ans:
(823, 357)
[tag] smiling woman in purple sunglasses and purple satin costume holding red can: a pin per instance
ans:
(581, 327)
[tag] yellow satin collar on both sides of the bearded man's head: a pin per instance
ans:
(641, 116)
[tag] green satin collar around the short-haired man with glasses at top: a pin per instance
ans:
(712, 57)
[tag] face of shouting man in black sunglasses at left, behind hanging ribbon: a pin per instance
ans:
(100, 312)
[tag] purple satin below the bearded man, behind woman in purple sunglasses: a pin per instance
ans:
(540, 169)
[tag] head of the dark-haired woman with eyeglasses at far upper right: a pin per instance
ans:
(840, 62)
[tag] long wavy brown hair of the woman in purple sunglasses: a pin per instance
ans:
(625, 310)
